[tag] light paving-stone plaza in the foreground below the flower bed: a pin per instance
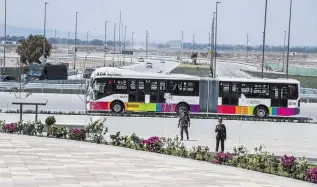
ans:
(33, 161)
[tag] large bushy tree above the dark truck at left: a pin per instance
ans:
(31, 49)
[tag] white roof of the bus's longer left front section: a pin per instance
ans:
(124, 73)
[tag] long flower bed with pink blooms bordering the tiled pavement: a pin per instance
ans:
(260, 160)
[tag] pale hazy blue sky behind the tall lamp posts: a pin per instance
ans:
(165, 19)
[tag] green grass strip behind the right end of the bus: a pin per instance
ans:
(305, 81)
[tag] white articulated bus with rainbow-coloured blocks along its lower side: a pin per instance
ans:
(119, 90)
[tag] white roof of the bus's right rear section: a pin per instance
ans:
(258, 80)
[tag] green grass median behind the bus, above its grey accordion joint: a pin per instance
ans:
(190, 69)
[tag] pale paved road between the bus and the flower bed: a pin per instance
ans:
(279, 138)
